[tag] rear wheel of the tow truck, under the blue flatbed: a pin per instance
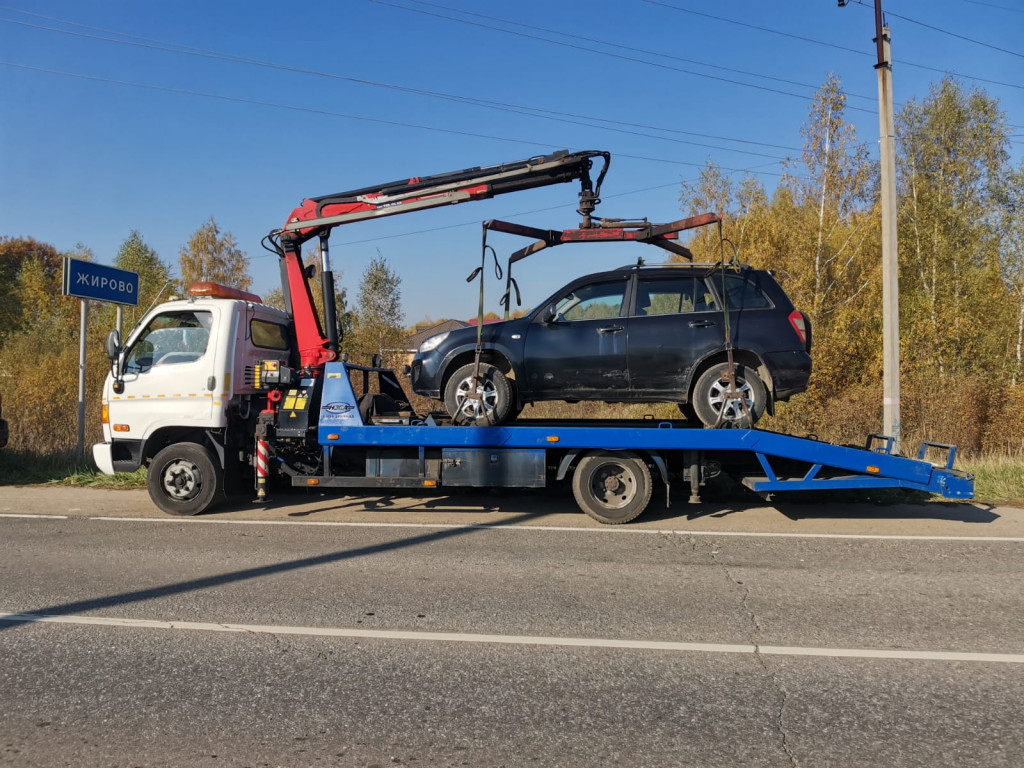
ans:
(612, 487)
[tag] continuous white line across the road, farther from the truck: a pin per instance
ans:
(579, 643)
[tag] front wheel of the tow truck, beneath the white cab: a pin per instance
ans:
(186, 480)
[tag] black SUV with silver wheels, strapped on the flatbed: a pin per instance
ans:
(637, 334)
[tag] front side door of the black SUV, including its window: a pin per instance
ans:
(583, 349)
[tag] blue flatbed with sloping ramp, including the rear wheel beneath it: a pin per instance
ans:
(611, 461)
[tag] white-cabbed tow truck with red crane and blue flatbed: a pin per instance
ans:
(219, 394)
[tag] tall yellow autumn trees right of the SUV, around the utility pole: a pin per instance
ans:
(961, 248)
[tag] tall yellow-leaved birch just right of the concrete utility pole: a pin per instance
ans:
(953, 172)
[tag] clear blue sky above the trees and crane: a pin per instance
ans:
(121, 115)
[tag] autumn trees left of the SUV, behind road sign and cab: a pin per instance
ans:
(39, 327)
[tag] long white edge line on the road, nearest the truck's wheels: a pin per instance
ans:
(604, 530)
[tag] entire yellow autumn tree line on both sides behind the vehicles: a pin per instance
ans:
(962, 283)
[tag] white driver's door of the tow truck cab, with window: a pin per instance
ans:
(170, 373)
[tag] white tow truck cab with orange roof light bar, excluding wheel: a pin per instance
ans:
(185, 372)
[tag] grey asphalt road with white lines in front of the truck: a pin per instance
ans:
(507, 630)
